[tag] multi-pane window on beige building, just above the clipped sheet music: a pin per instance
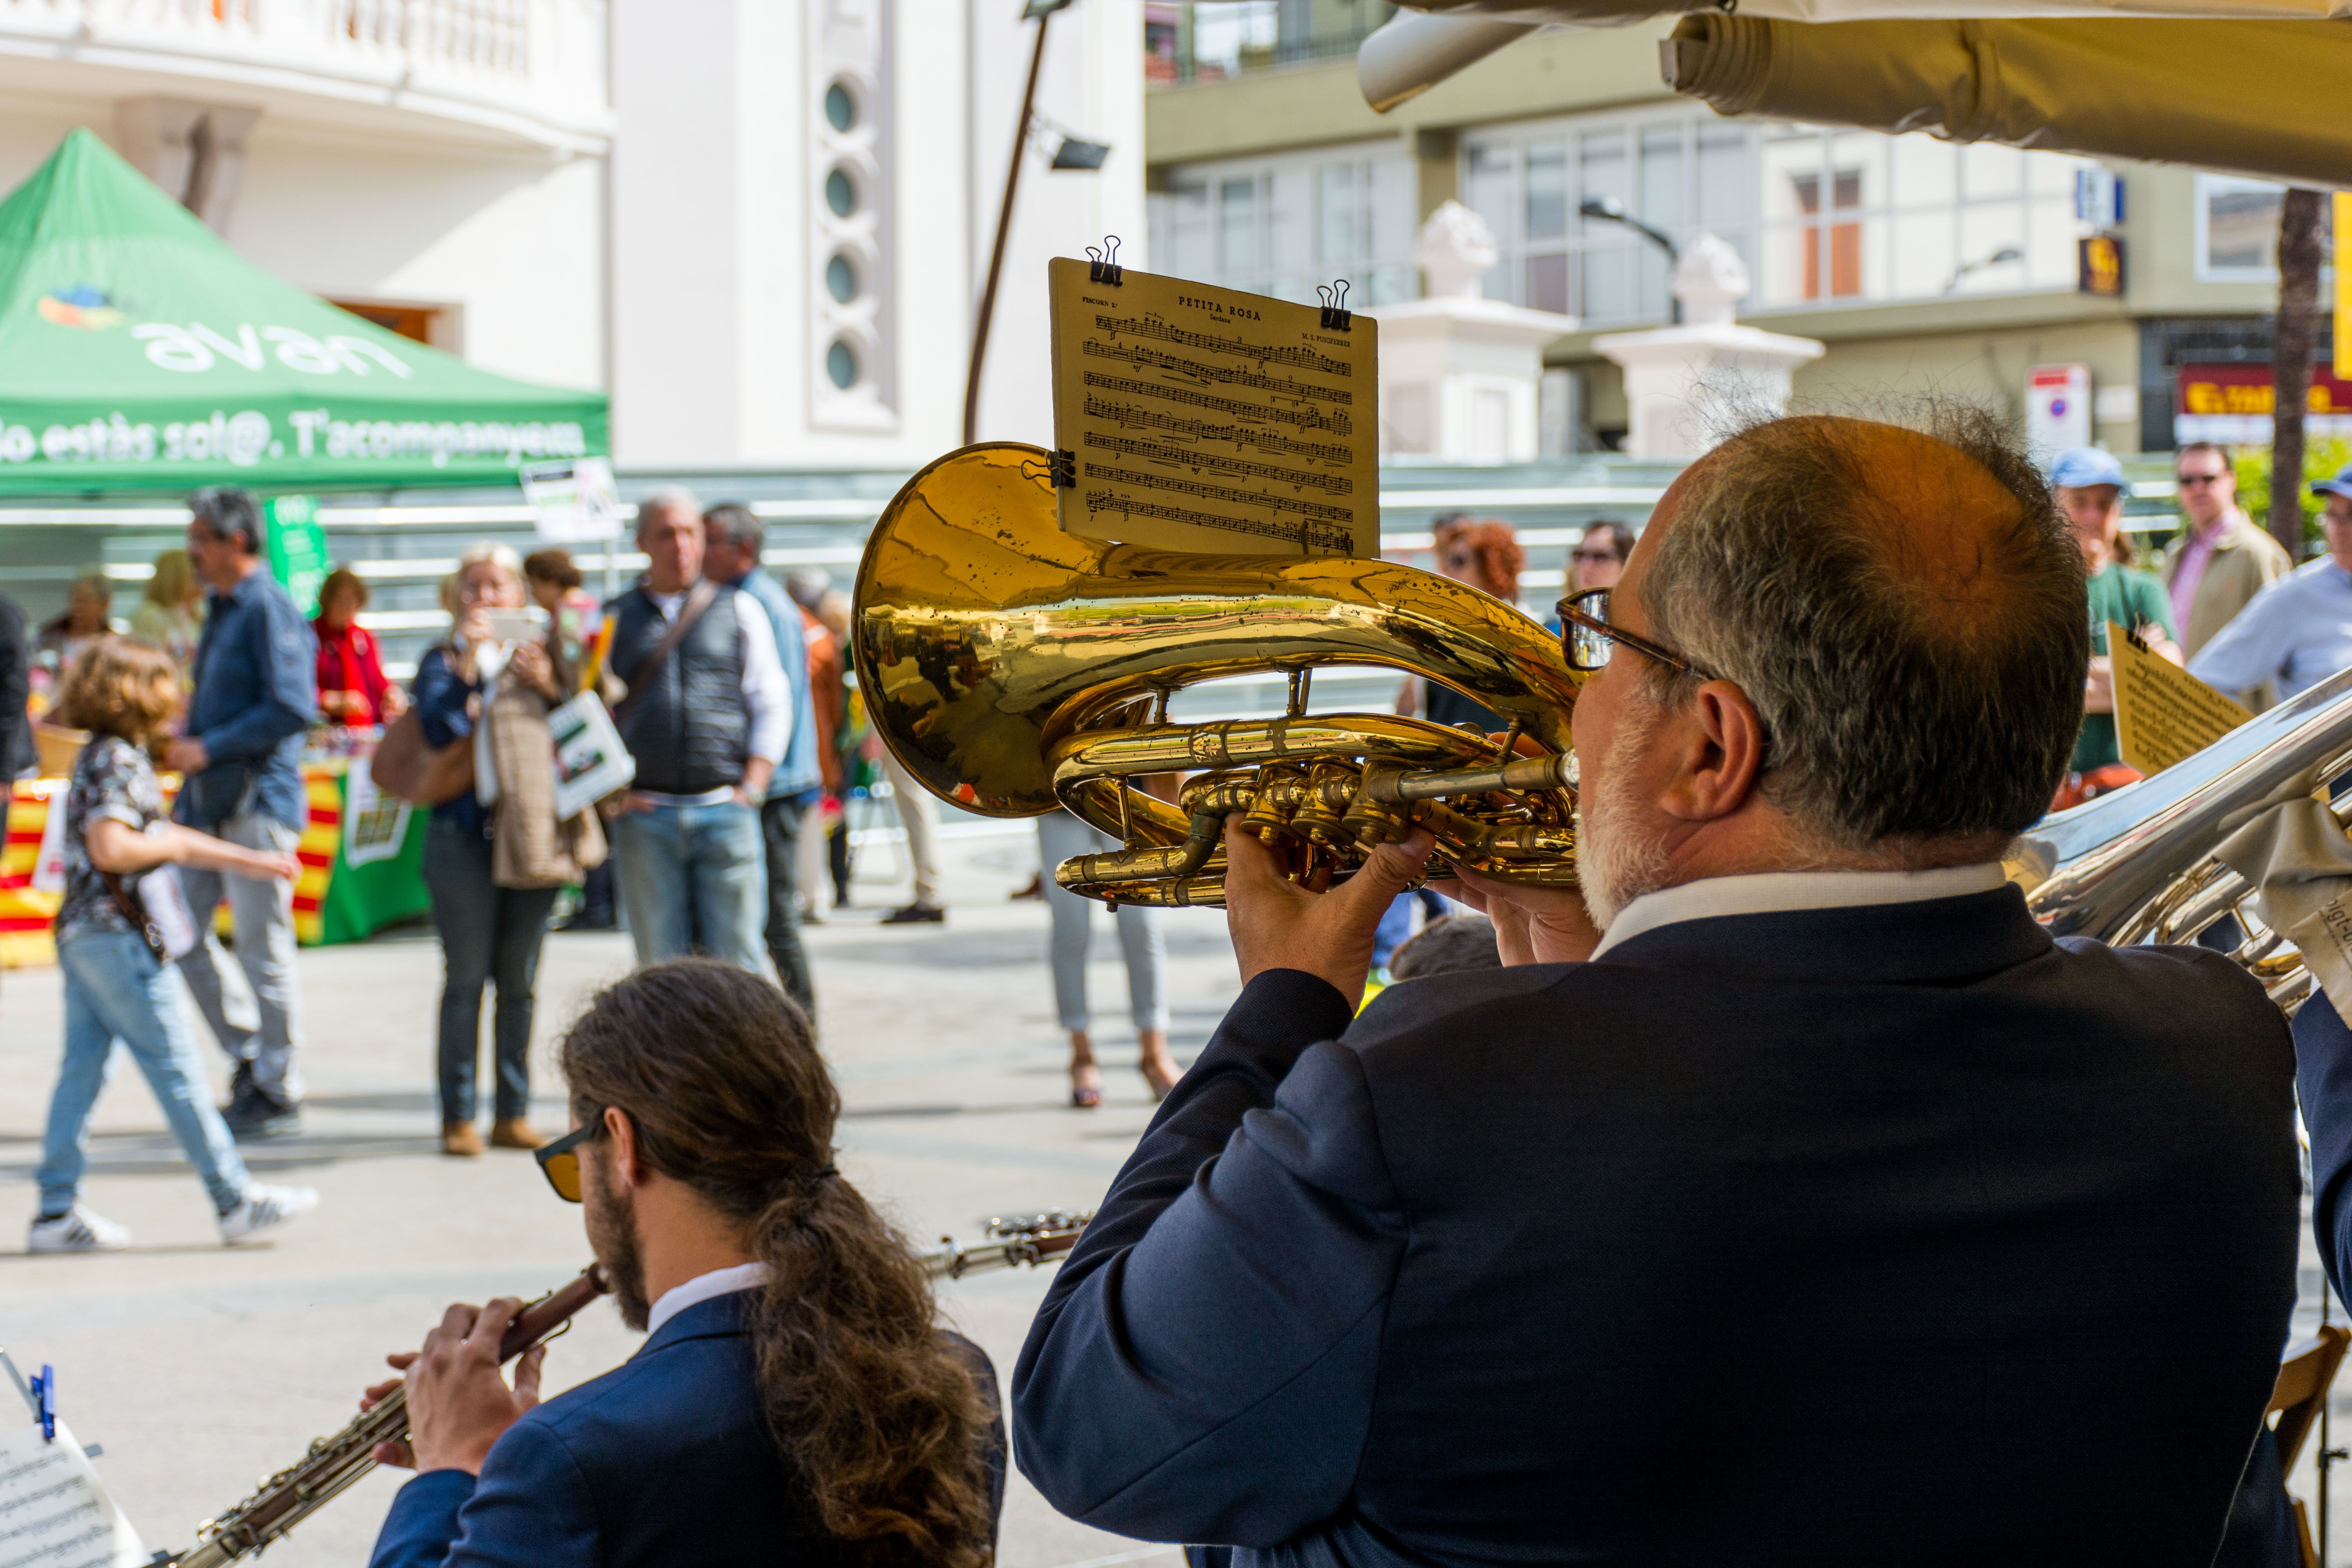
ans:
(1285, 227)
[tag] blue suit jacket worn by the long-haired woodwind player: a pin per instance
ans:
(662, 1461)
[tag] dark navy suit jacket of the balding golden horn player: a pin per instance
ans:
(1887, 1235)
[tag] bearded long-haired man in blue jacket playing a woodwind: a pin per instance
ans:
(794, 1400)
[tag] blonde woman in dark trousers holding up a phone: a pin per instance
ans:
(490, 934)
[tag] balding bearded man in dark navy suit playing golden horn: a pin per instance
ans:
(1791, 1198)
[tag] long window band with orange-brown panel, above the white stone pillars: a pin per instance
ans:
(1819, 215)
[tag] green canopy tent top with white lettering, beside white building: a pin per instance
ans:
(140, 351)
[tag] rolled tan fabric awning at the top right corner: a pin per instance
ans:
(2219, 95)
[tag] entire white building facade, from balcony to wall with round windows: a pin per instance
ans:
(761, 225)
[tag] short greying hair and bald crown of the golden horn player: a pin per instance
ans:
(1909, 695)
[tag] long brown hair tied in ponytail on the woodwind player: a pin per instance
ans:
(878, 1416)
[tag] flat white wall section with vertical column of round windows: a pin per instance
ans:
(806, 199)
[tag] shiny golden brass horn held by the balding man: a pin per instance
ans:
(1017, 669)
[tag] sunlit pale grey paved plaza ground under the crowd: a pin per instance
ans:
(201, 1369)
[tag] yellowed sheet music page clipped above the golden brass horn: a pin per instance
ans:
(1215, 422)
